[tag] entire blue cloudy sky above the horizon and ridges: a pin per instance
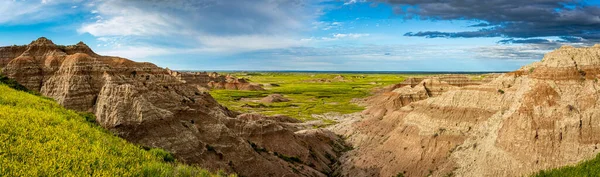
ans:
(329, 35)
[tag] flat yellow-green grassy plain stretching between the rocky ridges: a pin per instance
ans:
(309, 93)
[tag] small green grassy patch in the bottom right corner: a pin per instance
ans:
(585, 168)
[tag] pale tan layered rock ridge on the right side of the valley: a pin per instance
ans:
(541, 116)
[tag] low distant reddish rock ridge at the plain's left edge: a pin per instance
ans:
(215, 81)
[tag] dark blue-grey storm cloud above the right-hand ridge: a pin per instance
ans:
(508, 18)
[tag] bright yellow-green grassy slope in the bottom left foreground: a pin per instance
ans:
(38, 137)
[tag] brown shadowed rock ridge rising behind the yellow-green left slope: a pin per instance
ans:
(147, 105)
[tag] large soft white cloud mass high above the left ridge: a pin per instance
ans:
(202, 26)
